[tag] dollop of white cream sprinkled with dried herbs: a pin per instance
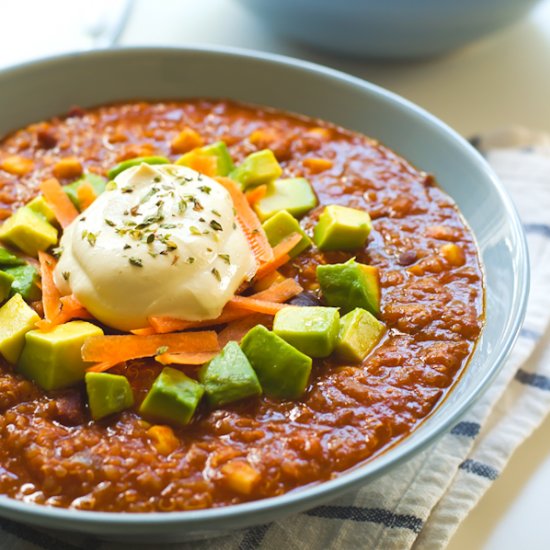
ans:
(163, 240)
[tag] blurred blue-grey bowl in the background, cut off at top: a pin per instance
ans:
(387, 28)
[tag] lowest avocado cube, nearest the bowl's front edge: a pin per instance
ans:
(173, 398)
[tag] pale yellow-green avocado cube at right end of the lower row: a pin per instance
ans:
(359, 332)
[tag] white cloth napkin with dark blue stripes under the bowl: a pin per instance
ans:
(420, 504)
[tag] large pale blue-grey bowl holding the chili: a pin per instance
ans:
(39, 90)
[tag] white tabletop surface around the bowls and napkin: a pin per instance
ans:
(503, 80)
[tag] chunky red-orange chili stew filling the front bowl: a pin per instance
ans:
(52, 453)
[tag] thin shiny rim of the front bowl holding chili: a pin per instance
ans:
(298, 499)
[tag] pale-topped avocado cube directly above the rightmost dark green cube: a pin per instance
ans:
(342, 228)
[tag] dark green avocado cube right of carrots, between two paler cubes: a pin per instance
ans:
(350, 285)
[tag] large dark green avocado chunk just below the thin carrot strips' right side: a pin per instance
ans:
(282, 370)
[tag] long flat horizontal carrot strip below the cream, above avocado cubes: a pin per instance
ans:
(126, 347)
